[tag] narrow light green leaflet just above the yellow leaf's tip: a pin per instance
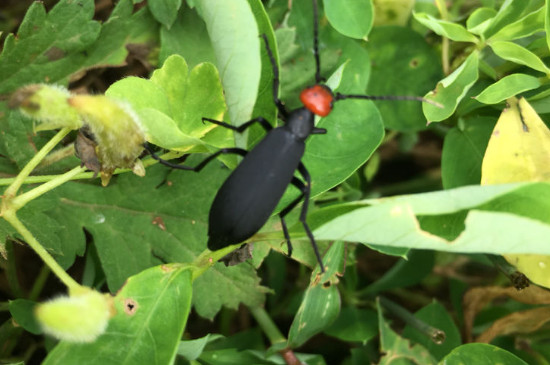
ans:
(507, 87)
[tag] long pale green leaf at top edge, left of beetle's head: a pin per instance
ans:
(233, 33)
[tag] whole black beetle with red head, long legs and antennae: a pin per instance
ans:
(248, 197)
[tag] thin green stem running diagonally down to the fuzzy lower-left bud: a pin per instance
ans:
(10, 217)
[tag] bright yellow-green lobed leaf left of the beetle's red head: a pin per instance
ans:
(173, 102)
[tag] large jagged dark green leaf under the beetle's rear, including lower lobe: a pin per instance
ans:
(131, 233)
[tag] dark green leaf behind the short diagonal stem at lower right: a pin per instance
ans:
(435, 315)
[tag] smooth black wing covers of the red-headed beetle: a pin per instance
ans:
(250, 194)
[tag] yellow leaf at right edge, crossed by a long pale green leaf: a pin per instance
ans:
(519, 150)
